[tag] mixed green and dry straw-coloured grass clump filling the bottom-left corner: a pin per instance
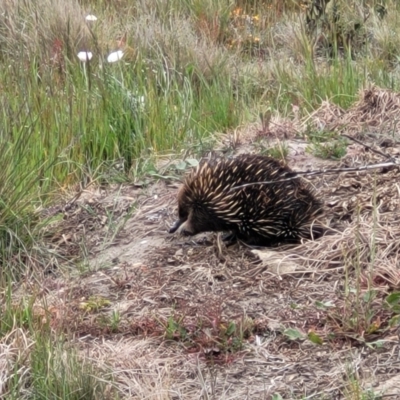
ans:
(38, 365)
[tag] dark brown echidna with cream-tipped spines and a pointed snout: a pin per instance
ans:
(262, 214)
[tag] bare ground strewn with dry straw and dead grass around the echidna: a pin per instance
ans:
(185, 318)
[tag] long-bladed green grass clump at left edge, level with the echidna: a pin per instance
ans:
(22, 186)
